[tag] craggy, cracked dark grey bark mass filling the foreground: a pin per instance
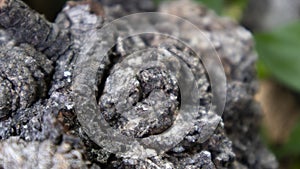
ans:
(39, 60)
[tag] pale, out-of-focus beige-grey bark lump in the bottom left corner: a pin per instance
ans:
(15, 153)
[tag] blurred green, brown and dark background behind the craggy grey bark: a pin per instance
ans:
(275, 25)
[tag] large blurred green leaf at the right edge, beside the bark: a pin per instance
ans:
(279, 50)
